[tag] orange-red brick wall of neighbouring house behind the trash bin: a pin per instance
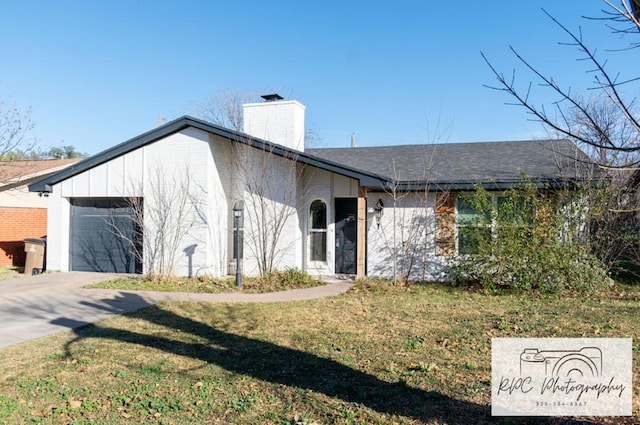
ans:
(17, 224)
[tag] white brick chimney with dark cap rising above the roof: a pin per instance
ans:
(276, 120)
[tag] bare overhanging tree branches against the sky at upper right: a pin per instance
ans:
(575, 108)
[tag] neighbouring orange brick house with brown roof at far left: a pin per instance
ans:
(23, 214)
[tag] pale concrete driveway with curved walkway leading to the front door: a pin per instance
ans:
(35, 306)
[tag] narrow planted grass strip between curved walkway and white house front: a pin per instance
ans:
(277, 281)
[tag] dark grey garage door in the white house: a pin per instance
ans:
(102, 236)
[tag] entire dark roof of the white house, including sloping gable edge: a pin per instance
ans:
(495, 165)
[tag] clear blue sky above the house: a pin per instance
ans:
(96, 73)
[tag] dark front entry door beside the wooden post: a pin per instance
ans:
(346, 235)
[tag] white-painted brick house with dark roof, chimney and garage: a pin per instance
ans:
(325, 211)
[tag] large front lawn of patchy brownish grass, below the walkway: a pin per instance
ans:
(378, 354)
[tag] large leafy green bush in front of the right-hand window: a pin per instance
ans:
(525, 240)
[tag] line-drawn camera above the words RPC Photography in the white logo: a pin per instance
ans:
(585, 362)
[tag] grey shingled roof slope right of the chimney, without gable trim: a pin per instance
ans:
(463, 165)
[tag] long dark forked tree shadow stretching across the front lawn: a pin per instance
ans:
(286, 366)
